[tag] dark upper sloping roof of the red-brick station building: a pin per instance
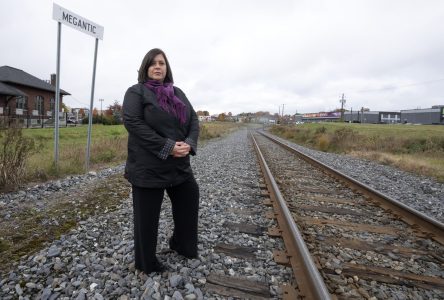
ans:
(12, 75)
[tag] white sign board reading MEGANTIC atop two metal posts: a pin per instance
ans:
(73, 20)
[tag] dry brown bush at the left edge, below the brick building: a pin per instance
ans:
(14, 153)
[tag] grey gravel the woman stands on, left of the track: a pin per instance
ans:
(95, 260)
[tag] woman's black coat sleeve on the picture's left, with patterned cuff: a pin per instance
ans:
(135, 124)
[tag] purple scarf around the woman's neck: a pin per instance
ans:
(167, 100)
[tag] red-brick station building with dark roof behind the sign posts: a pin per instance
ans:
(26, 99)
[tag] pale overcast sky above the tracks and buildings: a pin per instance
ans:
(242, 55)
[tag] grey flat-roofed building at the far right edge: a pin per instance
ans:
(427, 116)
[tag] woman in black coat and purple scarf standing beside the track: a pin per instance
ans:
(162, 133)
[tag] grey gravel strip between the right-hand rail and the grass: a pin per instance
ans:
(421, 193)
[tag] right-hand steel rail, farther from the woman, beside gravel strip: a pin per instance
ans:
(410, 215)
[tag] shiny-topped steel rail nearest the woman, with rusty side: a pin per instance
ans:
(310, 282)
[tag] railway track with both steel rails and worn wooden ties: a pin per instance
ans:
(345, 240)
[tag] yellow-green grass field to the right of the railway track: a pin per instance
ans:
(418, 149)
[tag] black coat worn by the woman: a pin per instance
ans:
(152, 134)
